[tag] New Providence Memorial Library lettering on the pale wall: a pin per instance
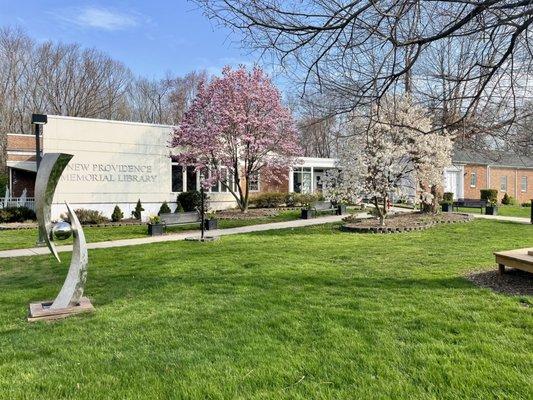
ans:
(128, 173)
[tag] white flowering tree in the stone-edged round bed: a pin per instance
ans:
(395, 150)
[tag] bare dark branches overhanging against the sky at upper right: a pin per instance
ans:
(362, 49)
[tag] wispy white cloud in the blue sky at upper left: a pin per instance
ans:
(98, 18)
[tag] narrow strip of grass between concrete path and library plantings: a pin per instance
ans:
(24, 238)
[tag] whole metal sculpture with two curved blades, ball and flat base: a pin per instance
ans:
(69, 300)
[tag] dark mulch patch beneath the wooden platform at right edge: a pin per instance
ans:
(513, 281)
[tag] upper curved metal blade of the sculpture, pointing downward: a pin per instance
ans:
(50, 170)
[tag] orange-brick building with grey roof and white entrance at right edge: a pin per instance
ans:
(505, 172)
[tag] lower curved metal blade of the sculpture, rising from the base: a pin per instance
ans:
(72, 289)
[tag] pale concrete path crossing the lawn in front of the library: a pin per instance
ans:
(177, 236)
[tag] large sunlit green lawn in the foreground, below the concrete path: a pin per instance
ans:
(308, 313)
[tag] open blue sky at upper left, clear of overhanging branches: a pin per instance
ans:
(151, 37)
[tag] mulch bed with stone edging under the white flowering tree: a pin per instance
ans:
(402, 222)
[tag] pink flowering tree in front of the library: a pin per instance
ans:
(236, 129)
